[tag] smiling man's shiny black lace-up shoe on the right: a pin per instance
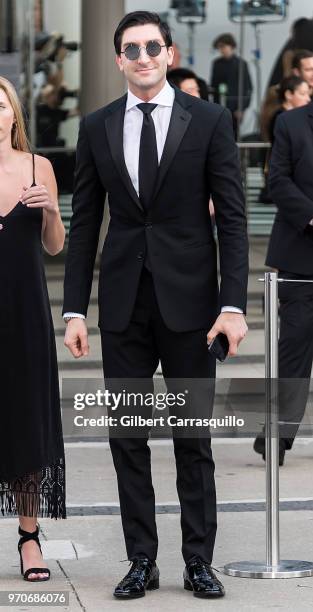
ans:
(200, 578)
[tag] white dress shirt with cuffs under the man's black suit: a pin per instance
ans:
(131, 141)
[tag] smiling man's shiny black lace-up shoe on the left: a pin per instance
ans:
(143, 575)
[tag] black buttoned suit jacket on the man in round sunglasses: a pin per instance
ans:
(199, 158)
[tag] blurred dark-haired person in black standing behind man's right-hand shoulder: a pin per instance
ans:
(225, 79)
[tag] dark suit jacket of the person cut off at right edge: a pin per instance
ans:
(291, 186)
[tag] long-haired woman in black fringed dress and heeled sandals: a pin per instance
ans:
(32, 467)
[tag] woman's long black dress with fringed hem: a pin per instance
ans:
(32, 466)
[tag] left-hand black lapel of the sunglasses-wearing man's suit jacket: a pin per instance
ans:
(114, 129)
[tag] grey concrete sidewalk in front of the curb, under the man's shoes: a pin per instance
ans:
(93, 569)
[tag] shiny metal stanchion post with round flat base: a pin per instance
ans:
(273, 567)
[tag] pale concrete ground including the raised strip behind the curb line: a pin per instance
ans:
(86, 550)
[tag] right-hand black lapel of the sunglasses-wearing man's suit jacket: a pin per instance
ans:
(179, 122)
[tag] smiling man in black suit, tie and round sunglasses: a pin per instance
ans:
(159, 154)
